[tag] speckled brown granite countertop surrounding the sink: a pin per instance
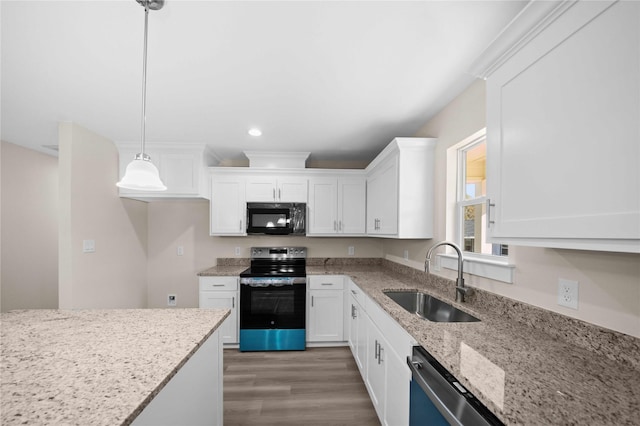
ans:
(522, 374)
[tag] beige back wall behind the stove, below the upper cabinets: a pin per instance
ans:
(186, 224)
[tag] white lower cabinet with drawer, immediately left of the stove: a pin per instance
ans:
(222, 292)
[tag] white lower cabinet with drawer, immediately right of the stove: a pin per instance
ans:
(325, 307)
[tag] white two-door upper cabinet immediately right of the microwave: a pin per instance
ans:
(337, 205)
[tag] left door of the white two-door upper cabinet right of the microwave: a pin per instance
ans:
(322, 206)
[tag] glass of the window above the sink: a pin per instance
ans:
(471, 200)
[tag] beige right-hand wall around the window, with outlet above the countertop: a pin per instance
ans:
(609, 293)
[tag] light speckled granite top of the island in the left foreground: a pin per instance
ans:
(94, 367)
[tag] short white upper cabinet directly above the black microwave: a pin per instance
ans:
(268, 188)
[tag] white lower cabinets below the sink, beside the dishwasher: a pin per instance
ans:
(380, 347)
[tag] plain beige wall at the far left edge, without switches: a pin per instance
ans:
(29, 239)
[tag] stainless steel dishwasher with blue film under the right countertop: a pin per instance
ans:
(437, 398)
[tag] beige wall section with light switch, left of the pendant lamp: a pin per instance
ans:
(115, 276)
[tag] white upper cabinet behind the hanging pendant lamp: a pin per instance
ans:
(182, 169)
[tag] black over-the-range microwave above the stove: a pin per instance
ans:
(276, 218)
